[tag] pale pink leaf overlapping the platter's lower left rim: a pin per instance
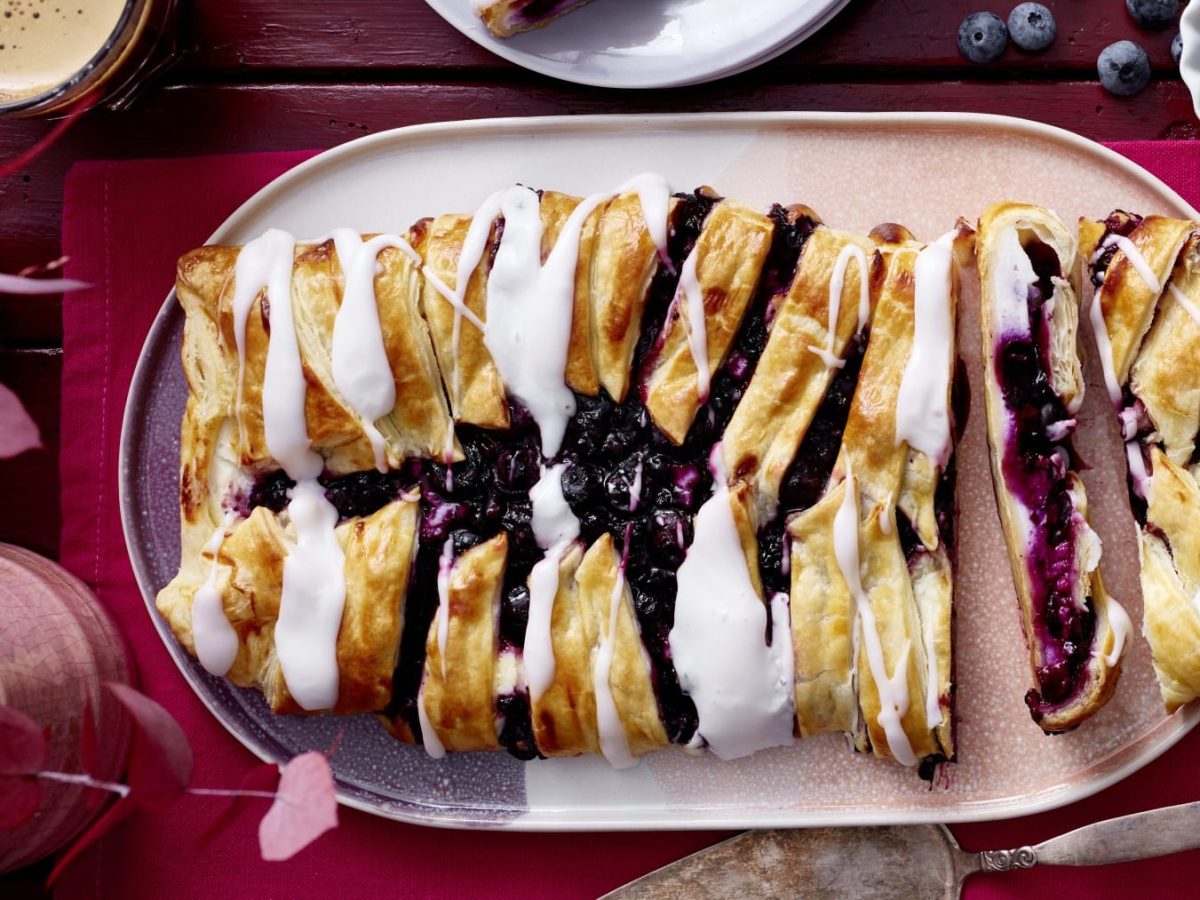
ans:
(304, 809)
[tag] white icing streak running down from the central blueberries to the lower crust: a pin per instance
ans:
(555, 529)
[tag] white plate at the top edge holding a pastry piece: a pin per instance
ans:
(652, 44)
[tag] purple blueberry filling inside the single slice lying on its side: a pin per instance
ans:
(1036, 471)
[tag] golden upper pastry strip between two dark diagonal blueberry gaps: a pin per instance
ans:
(730, 255)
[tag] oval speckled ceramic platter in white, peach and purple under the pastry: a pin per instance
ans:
(922, 171)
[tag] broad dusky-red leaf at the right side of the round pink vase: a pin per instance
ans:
(161, 758)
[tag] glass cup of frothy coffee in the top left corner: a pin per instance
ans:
(56, 53)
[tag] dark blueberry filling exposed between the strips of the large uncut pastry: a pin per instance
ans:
(609, 449)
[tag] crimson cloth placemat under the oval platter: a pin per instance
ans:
(124, 231)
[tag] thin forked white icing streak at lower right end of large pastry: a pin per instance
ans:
(893, 689)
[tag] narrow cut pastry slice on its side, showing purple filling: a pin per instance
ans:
(1076, 632)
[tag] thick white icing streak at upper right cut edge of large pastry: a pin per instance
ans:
(923, 416)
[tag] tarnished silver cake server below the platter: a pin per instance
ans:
(899, 861)
